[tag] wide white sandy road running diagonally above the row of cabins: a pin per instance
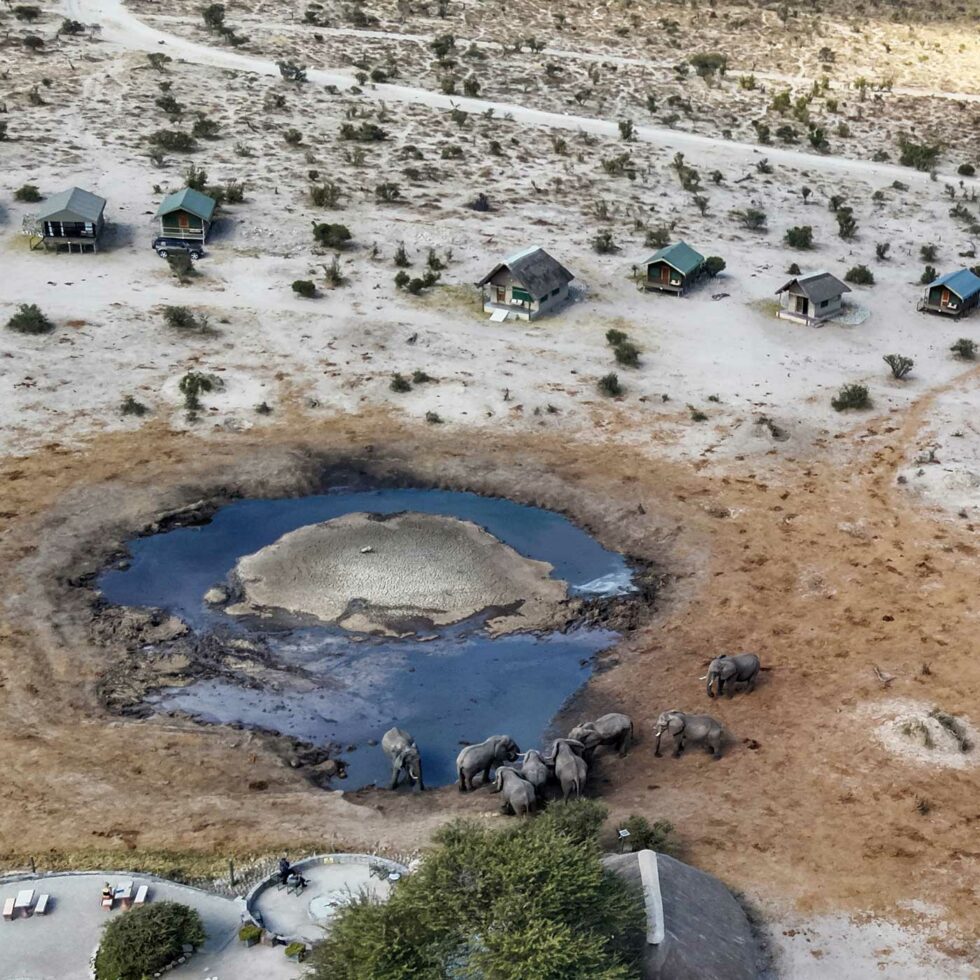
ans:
(121, 26)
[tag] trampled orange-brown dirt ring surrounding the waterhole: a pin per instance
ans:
(823, 568)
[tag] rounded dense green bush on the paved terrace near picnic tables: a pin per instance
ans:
(144, 940)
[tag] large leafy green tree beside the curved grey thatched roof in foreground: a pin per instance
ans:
(528, 901)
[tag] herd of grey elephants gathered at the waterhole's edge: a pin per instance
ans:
(567, 762)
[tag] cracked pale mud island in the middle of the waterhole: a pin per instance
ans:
(366, 573)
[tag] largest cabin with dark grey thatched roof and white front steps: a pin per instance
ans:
(525, 286)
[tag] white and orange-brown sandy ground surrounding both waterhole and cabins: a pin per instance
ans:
(831, 543)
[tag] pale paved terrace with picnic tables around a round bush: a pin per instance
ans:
(60, 944)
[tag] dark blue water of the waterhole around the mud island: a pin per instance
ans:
(461, 685)
